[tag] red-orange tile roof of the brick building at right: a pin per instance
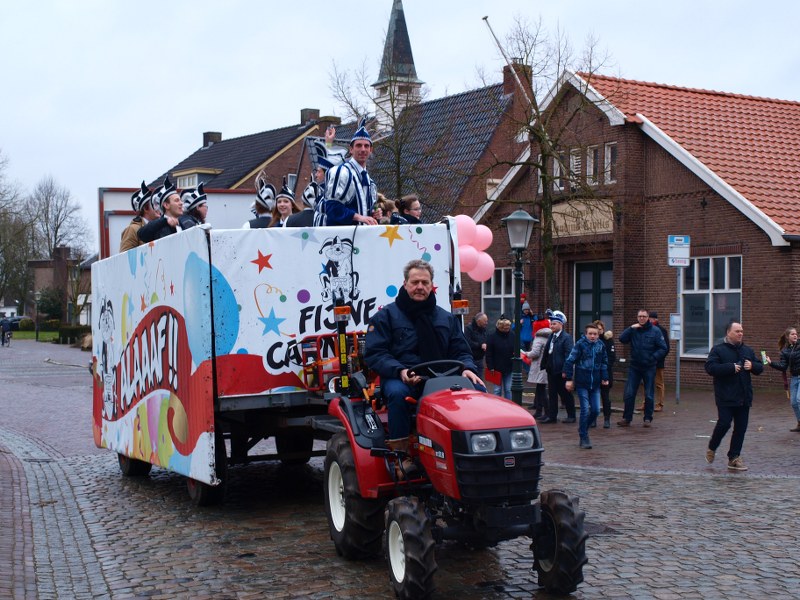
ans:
(751, 143)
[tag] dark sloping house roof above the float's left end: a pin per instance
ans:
(236, 158)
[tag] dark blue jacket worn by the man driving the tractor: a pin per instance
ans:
(391, 344)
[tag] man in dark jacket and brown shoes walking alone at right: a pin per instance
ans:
(730, 364)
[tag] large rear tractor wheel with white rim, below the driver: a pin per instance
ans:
(356, 523)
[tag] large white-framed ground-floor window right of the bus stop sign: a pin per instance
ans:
(710, 293)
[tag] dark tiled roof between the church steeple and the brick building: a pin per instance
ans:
(442, 142)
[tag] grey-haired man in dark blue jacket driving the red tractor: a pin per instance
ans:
(411, 330)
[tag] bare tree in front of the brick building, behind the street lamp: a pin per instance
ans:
(554, 118)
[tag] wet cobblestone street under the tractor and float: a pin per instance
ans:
(663, 524)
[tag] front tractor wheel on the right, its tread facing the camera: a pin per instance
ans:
(559, 544)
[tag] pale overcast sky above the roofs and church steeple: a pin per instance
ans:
(102, 93)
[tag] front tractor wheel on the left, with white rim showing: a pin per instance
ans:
(409, 548)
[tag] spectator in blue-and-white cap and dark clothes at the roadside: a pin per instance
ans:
(556, 351)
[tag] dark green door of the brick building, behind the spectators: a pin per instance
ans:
(594, 293)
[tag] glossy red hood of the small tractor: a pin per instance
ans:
(469, 410)
